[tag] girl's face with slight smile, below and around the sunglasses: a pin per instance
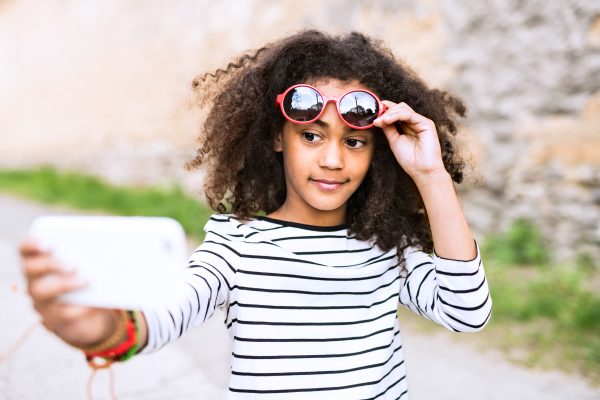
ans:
(325, 161)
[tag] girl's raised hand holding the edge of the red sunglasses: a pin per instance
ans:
(418, 150)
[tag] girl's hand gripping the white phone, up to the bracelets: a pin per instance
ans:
(47, 279)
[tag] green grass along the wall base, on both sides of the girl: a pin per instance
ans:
(542, 314)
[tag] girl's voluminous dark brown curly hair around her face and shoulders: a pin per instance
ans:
(236, 141)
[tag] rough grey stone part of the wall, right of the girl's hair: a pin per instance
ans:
(530, 72)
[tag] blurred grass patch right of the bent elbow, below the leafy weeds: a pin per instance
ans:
(547, 311)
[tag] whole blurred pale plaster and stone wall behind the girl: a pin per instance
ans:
(102, 86)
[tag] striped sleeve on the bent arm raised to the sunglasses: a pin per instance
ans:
(452, 293)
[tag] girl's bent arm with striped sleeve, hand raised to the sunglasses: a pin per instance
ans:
(449, 288)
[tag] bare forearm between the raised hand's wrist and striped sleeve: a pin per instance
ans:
(451, 234)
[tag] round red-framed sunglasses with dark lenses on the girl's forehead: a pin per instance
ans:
(303, 104)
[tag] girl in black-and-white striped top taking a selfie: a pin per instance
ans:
(351, 157)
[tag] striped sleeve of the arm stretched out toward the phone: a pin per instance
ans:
(203, 286)
